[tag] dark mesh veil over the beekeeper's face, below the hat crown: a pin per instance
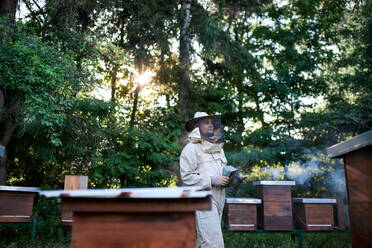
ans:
(211, 129)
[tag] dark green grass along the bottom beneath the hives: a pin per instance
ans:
(47, 237)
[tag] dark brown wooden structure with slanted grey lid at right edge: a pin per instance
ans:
(357, 157)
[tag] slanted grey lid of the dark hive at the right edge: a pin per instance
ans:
(358, 142)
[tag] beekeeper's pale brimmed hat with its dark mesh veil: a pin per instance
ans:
(212, 129)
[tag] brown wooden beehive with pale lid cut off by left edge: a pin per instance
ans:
(16, 203)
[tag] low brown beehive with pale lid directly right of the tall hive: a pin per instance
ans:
(313, 214)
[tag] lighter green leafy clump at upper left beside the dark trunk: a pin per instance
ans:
(40, 79)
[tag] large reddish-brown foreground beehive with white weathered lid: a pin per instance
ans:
(134, 218)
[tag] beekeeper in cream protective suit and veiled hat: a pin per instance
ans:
(201, 163)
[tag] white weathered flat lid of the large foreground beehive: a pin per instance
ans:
(149, 193)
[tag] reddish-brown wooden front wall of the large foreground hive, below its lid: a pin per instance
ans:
(133, 230)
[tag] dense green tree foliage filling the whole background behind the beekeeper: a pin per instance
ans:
(287, 77)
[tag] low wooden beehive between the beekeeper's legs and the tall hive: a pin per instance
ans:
(241, 214)
